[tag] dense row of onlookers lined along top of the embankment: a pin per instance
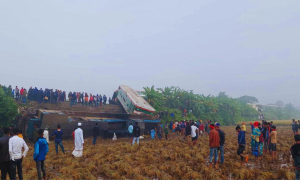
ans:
(55, 96)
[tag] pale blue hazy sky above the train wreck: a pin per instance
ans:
(241, 47)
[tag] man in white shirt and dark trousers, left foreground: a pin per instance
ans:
(16, 145)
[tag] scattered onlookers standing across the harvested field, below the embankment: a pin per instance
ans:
(263, 138)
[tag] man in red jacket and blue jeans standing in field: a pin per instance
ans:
(214, 144)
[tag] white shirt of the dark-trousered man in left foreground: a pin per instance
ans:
(15, 148)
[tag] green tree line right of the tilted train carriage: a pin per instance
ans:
(221, 108)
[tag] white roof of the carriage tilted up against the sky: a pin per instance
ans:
(136, 99)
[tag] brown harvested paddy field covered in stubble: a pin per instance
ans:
(171, 159)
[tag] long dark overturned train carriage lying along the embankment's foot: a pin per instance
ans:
(108, 123)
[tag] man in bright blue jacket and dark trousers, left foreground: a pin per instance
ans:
(40, 151)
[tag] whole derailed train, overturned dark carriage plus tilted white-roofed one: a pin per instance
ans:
(136, 107)
